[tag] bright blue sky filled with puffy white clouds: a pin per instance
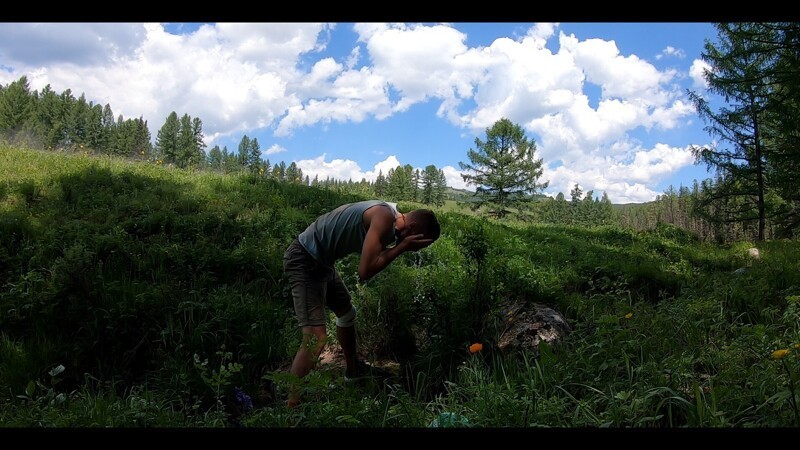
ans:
(605, 103)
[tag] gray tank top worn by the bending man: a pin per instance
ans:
(341, 232)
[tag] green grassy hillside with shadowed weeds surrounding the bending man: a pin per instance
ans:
(140, 295)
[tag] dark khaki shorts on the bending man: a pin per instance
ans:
(314, 286)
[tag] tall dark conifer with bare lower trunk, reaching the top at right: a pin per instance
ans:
(741, 74)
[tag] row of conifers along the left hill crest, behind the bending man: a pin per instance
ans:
(47, 120)
